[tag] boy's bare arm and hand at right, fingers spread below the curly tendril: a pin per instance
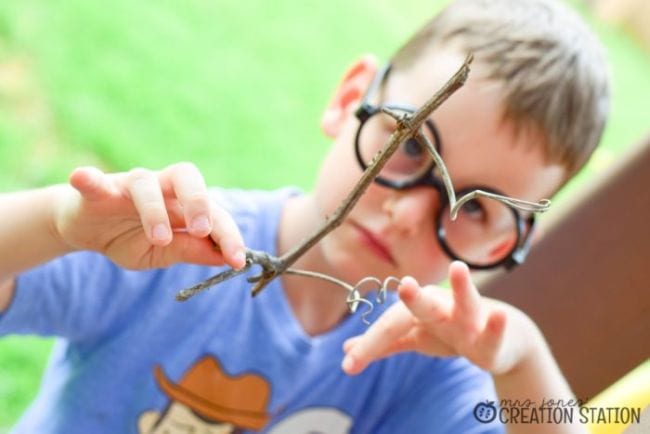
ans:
(492, 335)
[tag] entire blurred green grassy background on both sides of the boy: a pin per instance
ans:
(235, 87)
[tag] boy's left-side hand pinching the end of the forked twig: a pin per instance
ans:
(146, 219)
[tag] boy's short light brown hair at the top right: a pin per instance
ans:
(551, 67)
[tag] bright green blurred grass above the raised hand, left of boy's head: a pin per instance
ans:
(211, 82)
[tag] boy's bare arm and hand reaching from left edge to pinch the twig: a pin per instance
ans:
(139, 219)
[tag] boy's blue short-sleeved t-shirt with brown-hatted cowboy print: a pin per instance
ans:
(131, 359)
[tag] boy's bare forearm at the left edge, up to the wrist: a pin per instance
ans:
(28, 235)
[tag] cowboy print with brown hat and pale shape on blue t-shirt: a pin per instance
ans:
(207, 400)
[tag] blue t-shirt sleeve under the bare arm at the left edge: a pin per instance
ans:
(76, 296)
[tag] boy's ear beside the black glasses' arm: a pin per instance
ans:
(348, 94)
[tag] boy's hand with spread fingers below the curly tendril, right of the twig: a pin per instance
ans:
(436, 322)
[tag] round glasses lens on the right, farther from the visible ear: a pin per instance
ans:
(484, 233)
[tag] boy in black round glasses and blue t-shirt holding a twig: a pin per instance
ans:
(133, 360)
